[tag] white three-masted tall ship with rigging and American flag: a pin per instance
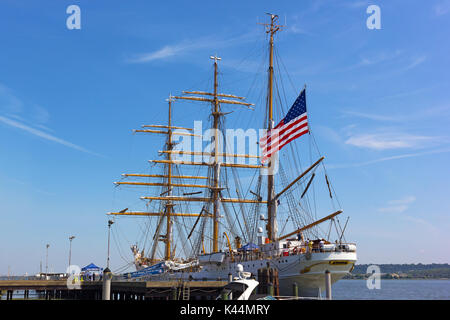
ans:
(211, 207)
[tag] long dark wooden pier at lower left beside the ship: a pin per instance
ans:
(120, 290)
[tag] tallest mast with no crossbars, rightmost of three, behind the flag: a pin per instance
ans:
(271, 226)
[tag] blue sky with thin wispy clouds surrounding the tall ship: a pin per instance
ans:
(378, 104)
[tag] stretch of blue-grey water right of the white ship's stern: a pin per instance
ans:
(392, 290)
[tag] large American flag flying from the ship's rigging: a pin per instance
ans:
(294, 125)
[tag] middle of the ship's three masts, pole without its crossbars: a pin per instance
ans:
(216, 189)
